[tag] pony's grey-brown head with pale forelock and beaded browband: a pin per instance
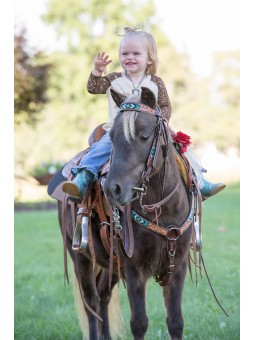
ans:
(133, 136)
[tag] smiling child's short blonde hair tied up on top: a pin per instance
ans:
(150, 46)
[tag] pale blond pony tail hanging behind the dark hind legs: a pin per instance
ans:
(115, 316)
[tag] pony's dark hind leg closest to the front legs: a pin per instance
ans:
(105, 295)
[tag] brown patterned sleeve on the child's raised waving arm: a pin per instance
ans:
(99, 85)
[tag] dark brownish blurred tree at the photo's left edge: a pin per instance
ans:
(30, 81)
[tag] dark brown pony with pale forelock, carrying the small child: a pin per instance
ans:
(150, 223)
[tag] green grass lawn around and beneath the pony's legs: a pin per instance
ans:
(44, 307)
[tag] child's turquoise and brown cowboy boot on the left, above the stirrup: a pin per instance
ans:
(79, 185)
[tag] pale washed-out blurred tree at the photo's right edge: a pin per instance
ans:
(209, 108)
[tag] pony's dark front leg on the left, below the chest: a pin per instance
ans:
(136, 282)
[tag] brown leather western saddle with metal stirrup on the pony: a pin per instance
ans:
(94, 202)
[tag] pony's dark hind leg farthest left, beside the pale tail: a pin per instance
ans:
(87, 285)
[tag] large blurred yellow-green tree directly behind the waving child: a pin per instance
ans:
(87, 27)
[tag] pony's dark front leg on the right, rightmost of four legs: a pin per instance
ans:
(173, 301)
